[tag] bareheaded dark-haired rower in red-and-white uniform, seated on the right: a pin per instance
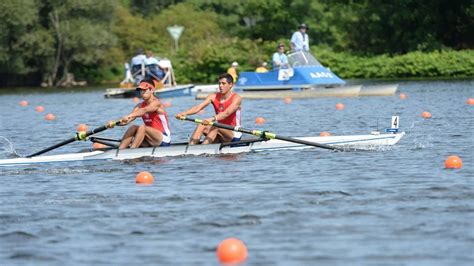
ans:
(227, 107)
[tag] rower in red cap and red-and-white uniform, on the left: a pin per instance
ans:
(156, 130)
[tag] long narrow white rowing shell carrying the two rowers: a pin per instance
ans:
(371, 141)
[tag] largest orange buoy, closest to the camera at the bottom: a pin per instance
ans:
(232, 250)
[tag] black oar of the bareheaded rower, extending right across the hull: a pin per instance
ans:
(264, 134)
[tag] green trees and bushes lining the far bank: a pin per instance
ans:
(41, 41)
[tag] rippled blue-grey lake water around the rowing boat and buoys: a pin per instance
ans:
(311, 207)
